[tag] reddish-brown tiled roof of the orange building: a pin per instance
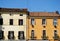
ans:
(43, 14)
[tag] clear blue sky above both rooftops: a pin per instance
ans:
(32, 5)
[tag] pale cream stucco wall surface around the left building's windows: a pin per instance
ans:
(15, 27)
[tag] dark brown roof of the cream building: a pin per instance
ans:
(12, 10)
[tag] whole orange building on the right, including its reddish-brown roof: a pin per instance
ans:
(43, 26)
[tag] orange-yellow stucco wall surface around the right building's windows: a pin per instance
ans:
(38, 28)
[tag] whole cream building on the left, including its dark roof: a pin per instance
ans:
(13, 23)
